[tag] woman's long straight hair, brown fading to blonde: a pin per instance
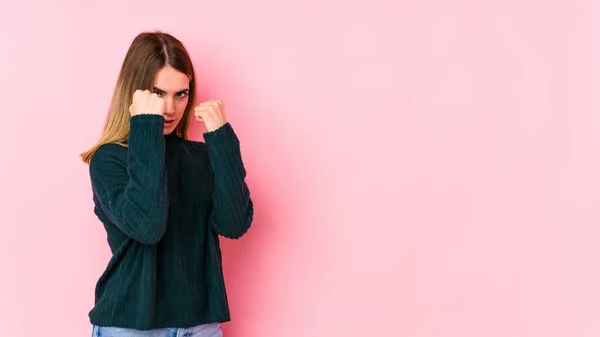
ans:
(148, 54)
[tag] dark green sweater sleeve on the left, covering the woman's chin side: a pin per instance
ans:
(131, 185)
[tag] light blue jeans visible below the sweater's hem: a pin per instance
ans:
(204, 330)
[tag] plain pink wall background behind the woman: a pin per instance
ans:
(418, 168)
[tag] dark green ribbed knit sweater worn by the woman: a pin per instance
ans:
(164, 201)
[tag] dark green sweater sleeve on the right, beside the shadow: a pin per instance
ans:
(233, 209)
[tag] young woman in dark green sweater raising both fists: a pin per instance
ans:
(164, 200)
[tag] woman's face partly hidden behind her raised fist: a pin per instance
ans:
(173, 86)
